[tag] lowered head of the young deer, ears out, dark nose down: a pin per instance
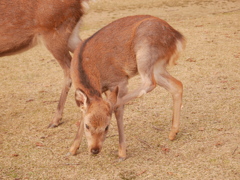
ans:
(97, 113)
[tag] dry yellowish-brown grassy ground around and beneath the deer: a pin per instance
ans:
(208, 146)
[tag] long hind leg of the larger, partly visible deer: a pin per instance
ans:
(57, 44)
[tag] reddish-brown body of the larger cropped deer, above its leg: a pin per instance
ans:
(21, 21)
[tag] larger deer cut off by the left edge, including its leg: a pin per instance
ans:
(56, 22)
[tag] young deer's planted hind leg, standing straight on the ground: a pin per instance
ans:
(175, 87)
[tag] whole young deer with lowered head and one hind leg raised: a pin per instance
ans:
(142, 45)
